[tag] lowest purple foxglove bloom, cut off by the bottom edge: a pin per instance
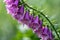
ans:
(44, 33)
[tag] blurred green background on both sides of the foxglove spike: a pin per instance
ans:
(11, 30)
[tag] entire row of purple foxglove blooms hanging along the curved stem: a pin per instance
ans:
(17, 11)
